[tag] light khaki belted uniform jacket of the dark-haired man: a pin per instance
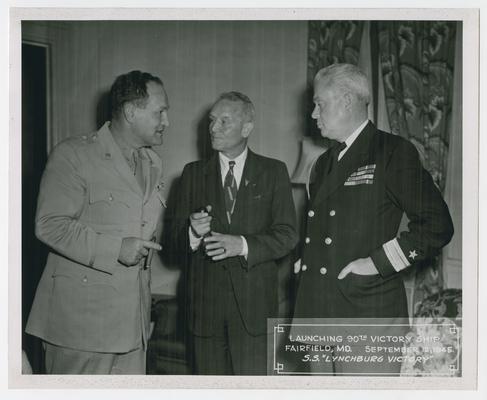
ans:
(89, 200)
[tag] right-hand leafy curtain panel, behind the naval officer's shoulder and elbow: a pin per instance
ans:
(416, 61)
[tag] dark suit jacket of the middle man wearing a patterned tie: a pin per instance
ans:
(264, 214)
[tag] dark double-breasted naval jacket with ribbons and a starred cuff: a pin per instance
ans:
(355, 212)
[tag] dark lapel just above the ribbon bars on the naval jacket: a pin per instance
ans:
(356, 156)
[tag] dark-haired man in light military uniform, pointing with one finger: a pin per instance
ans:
(99, 208)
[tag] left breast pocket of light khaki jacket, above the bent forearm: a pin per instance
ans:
(109, 205)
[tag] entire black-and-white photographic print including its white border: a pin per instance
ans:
(225, 198)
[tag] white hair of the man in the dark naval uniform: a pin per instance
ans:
(346, 78)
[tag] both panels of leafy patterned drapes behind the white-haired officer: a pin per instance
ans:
(414, 74)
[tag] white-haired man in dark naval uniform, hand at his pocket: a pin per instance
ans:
(352, 253)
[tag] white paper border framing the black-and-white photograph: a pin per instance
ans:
(470, 18)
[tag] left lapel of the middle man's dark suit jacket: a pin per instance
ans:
(213, 190)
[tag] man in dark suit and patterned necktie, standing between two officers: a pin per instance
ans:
(236, 217)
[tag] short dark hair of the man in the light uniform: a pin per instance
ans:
(130, 87)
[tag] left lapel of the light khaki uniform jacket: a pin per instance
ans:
(112, 154)
